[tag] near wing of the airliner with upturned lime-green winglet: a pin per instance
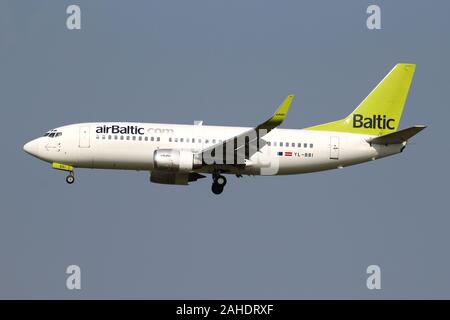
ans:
(244, 145)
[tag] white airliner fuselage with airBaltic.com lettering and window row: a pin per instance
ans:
(131, 146)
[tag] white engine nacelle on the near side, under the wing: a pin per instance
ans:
(175, 160)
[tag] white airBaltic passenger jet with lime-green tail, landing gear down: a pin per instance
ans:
(179, 154)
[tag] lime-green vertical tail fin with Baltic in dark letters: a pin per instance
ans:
(380, 112)
